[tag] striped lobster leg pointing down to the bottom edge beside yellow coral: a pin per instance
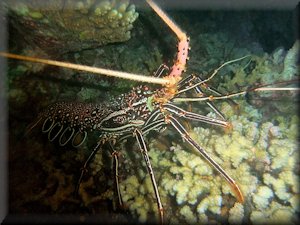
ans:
(140, 139)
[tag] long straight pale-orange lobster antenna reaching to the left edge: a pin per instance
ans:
(96, 70)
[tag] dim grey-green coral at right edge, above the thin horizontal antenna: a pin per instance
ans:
(265, 69)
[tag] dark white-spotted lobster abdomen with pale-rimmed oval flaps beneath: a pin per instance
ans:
(70, 121)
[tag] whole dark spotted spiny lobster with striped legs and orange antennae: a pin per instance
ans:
(138, 112)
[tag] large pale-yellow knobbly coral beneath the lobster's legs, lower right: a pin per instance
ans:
(258, 154)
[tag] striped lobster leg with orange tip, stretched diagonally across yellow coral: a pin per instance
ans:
(185, 135)
